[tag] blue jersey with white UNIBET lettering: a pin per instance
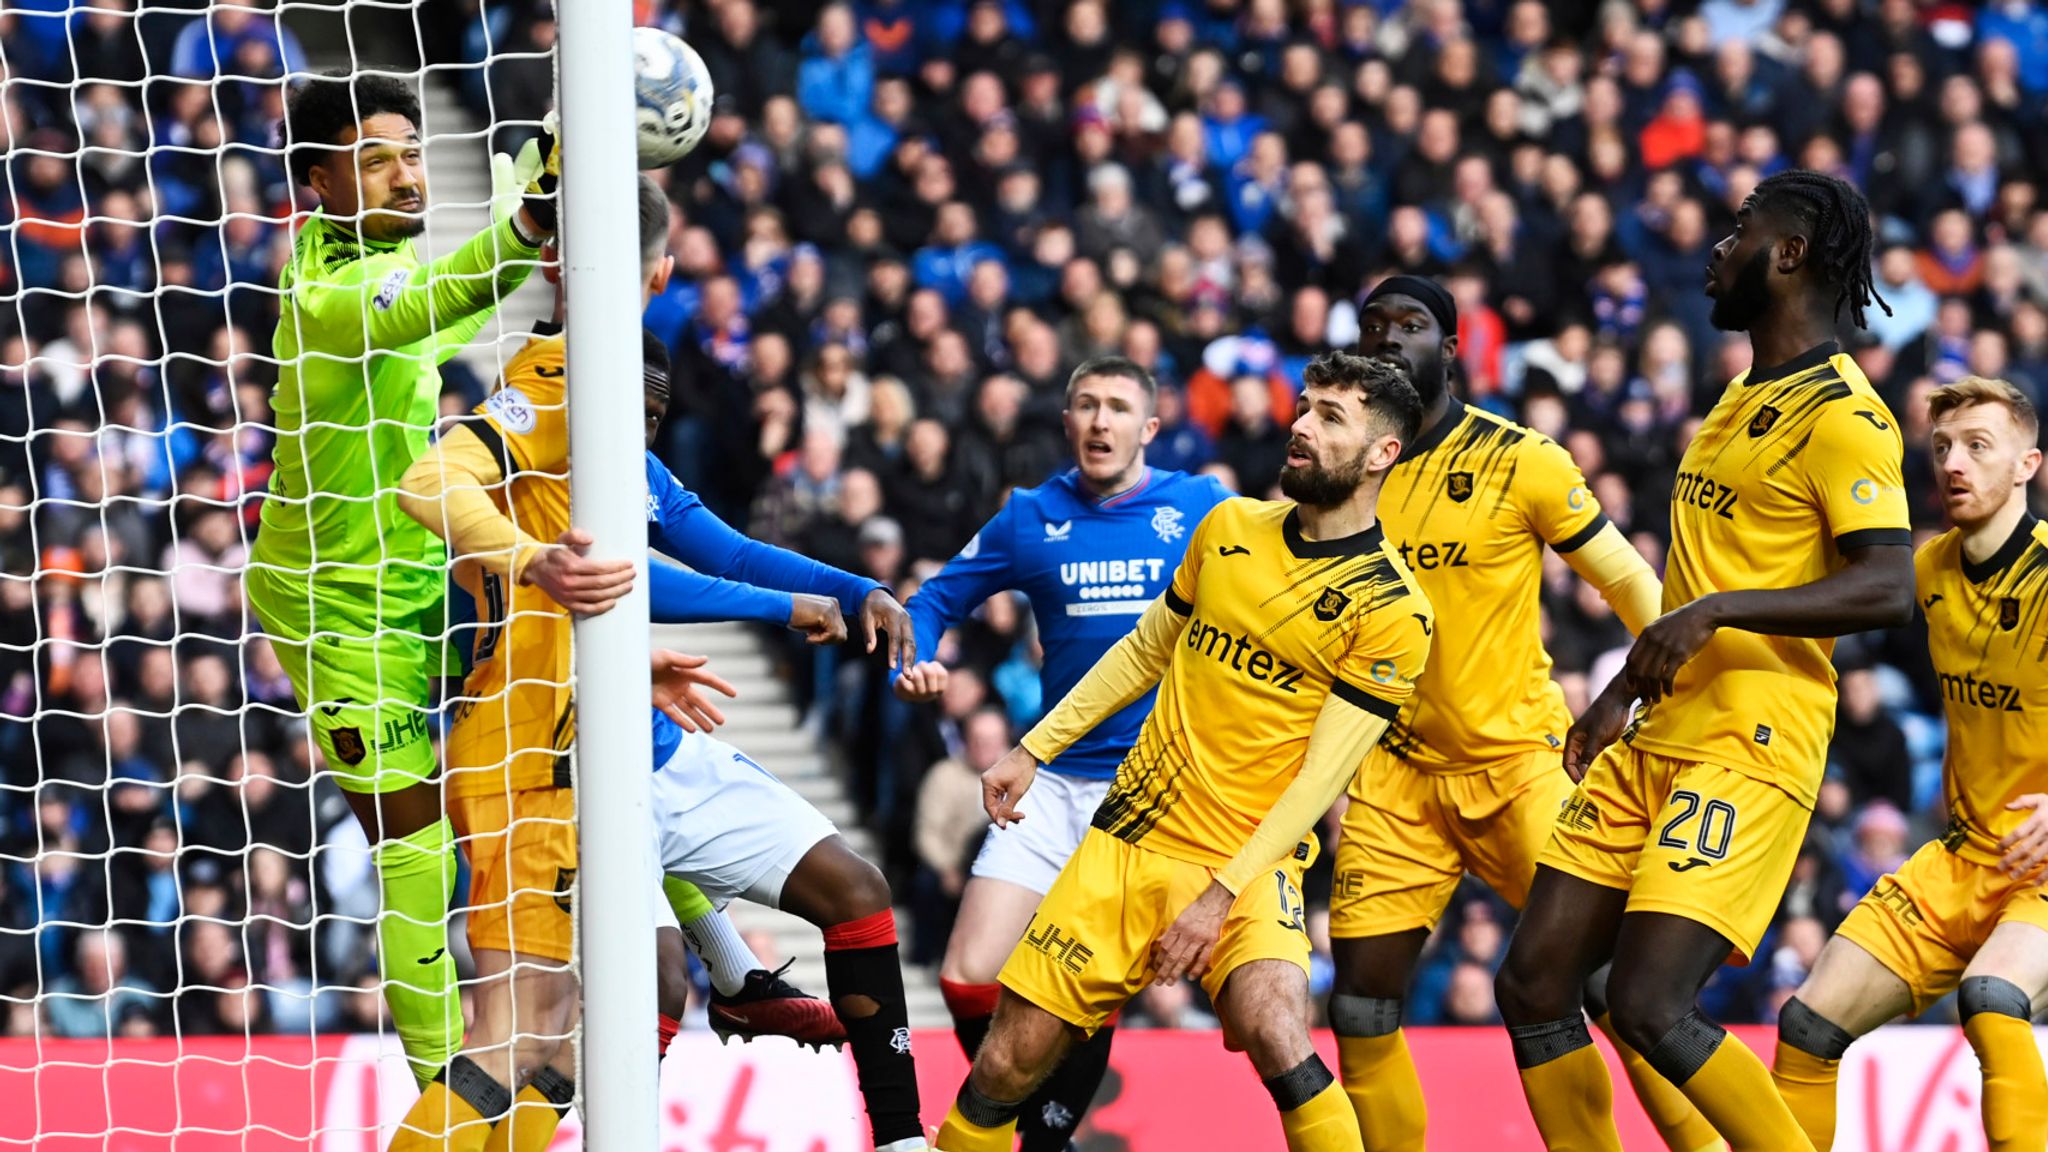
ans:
(1091, 569)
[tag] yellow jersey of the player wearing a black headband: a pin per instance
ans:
(1469, 507)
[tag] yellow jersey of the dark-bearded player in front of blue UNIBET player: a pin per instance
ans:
(1275, 626)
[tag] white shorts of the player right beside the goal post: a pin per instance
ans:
(728, 827)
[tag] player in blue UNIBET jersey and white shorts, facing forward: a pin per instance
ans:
(1091, 548)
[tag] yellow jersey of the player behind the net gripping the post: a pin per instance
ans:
(517, 721)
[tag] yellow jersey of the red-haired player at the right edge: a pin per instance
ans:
(1990, 647)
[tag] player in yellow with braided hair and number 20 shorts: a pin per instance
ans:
(1789, 528)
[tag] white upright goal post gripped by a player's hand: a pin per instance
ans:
(609, 499)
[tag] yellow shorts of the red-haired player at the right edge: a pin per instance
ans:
(1930, 917)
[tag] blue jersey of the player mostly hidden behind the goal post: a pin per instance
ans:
(734, 577)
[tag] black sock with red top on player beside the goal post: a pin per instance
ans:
(859, 975)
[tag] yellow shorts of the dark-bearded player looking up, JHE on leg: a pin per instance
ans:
(1089, 948)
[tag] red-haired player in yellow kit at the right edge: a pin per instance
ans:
(1969, 911)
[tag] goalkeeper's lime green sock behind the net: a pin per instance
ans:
(413, 944)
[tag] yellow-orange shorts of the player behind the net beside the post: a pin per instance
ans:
(521, 850)
